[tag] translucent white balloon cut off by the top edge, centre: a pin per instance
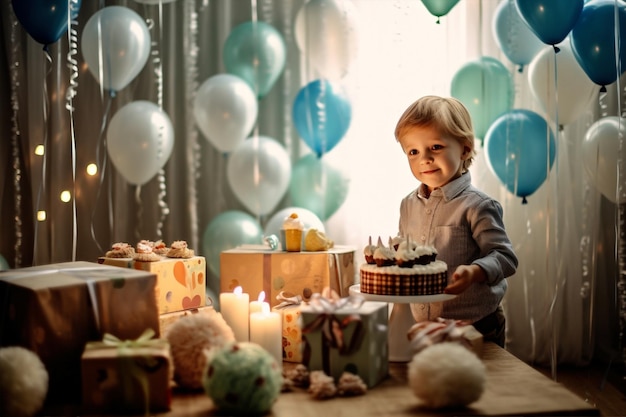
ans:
(326, 33)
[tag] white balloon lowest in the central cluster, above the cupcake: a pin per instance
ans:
(258, 172)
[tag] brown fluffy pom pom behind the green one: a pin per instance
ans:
(189, 337)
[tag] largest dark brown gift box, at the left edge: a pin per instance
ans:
(55, 309)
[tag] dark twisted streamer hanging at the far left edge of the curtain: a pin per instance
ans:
(15, 145)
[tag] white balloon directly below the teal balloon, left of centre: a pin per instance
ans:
(225, 110)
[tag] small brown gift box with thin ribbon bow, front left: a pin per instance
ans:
(126, 377)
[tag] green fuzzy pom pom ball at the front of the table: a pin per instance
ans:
(242, 379)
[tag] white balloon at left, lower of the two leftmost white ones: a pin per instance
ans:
(140, 139)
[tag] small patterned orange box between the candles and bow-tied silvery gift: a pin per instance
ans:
(289, 309)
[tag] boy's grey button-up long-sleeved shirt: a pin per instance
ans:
(465, 226)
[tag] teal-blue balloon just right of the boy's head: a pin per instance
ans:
(520, 151)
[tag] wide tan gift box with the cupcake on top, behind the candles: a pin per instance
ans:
(299, 273)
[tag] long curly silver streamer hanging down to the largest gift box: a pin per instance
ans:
(71, 92)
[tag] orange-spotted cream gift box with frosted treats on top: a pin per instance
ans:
(181, 283)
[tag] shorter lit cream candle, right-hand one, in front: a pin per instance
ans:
(266, 329)
